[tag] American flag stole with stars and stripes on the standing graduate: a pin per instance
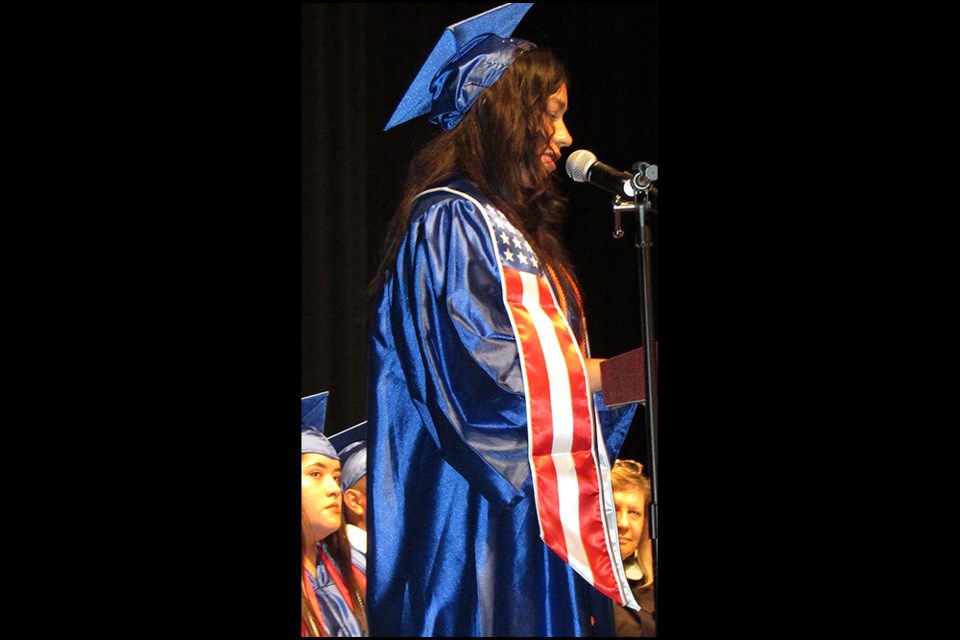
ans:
(571, 472)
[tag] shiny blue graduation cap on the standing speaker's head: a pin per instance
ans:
(469, 57)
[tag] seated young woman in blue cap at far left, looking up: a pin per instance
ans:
(332, 589)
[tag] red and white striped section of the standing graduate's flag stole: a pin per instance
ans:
(566, 475)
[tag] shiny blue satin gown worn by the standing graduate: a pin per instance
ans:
(454, 544)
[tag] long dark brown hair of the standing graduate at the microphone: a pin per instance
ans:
(498, 146)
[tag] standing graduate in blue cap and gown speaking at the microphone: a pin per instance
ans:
(490, 508)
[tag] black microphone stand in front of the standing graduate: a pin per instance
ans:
(642, 183)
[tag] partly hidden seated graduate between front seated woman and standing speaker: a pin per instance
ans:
(351, 446)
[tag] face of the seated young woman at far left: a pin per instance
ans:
(319, 495)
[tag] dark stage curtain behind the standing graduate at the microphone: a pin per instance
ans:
(358, 60)
